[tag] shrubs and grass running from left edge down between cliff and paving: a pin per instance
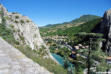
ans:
(37, 56)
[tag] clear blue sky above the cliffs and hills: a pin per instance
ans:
(43, 12)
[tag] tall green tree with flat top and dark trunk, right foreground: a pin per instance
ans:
(94, 54)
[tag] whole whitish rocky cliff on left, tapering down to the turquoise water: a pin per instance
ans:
(24, 31)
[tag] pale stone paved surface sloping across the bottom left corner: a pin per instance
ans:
(13, 61)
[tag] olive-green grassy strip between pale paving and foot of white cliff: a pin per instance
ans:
(48, 63)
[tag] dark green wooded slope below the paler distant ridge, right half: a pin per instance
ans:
(86, 27)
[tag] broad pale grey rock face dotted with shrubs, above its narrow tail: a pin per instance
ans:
(24, 30)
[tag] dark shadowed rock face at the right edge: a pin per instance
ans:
(106, 30)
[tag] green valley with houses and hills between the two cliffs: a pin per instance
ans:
(80, 44)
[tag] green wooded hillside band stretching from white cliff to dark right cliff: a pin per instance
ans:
(85, 27)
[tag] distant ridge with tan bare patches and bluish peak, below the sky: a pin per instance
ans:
(65, 25)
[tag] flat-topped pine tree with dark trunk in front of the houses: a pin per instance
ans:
(93, 56)
